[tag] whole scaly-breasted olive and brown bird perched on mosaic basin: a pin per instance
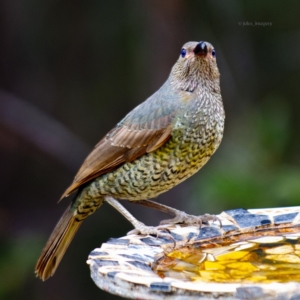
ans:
(160, 143)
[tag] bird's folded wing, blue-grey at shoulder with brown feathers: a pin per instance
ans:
(143, 130)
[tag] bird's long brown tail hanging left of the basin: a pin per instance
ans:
(57, 245)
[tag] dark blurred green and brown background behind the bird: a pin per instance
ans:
(70, 70)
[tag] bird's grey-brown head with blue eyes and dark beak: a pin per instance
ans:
(196, 65)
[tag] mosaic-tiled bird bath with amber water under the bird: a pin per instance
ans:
(255, 255)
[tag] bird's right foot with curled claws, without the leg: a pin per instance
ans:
(182, 217)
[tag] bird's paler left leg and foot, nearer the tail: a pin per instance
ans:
(140, 228)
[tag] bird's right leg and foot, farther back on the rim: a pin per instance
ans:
(179, 216)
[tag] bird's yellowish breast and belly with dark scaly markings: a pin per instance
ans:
(195, 136)
